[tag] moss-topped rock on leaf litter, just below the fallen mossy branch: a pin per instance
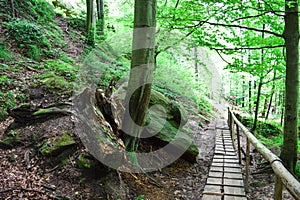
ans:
(60, 144)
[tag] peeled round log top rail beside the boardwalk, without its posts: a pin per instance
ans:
(288, 180)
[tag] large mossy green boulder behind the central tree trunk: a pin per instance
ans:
(165, 124)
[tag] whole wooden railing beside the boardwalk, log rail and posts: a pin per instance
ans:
(283, 176)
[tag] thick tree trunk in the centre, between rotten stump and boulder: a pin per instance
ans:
(141, 73)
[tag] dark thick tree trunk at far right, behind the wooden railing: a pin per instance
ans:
(291, 36)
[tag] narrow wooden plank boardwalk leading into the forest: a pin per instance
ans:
(225, 179)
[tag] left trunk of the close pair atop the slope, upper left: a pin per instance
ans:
(90, 22)
